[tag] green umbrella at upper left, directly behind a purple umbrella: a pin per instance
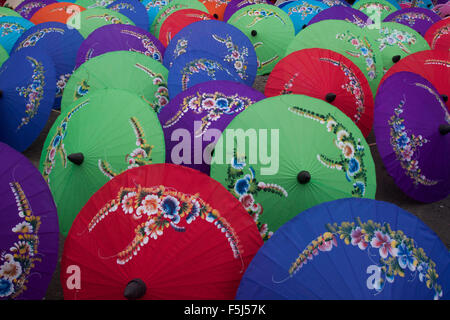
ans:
(95, 18)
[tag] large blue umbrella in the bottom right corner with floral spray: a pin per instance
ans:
(350, 249)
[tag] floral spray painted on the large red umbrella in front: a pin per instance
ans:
(162, 207)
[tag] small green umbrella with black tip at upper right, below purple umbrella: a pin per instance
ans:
(396, 41)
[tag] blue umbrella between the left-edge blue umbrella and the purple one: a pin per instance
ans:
(60, 43)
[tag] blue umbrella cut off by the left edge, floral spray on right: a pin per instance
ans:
(27, 87)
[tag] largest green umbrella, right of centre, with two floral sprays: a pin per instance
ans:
(299, 152)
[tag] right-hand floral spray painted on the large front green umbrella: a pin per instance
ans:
(351, 160)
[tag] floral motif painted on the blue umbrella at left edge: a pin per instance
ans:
(34, 92)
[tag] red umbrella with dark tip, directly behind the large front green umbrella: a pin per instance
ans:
(326, 75)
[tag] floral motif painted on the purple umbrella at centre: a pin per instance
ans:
(213, 105)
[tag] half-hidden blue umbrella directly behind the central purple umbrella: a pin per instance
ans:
(195, 67)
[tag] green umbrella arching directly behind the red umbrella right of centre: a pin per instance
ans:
(347, 39)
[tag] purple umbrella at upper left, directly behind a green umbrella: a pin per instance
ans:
(119, 37)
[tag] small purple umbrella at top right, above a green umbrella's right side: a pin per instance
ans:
(419, 19)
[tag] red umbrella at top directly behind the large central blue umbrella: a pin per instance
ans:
(179, 20)
